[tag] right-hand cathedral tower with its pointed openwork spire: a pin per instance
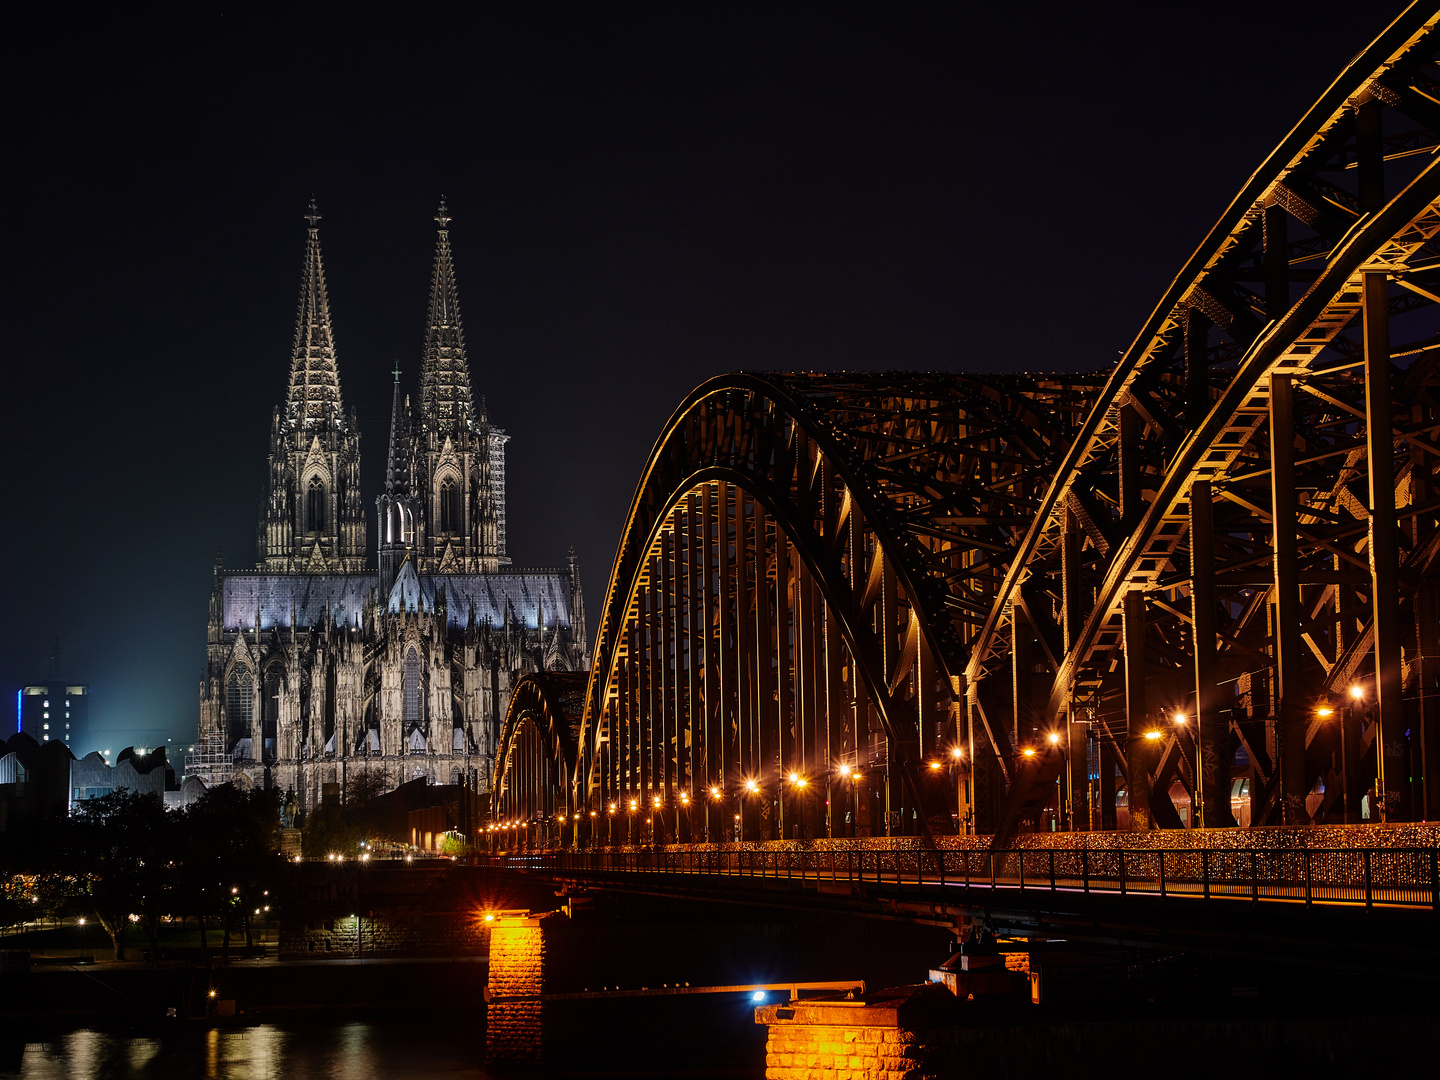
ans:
(460, 457)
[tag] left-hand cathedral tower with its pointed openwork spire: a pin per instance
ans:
(312, 521)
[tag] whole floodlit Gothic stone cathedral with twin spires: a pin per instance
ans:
(328, 662)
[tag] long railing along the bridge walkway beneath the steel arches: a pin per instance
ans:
(1390, 878)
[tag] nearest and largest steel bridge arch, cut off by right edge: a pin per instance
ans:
(1245, 450)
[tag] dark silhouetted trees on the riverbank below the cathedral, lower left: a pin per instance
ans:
(132, 865)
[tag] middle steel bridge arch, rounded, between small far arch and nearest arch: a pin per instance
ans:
(807, 558)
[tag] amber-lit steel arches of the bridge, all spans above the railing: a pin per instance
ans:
(906, 604)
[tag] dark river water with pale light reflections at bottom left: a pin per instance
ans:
(359, 1050)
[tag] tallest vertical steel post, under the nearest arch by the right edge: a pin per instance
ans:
(1385, 546)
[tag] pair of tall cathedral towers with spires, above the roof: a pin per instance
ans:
(444, 499)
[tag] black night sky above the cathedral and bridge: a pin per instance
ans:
(644, 197)
